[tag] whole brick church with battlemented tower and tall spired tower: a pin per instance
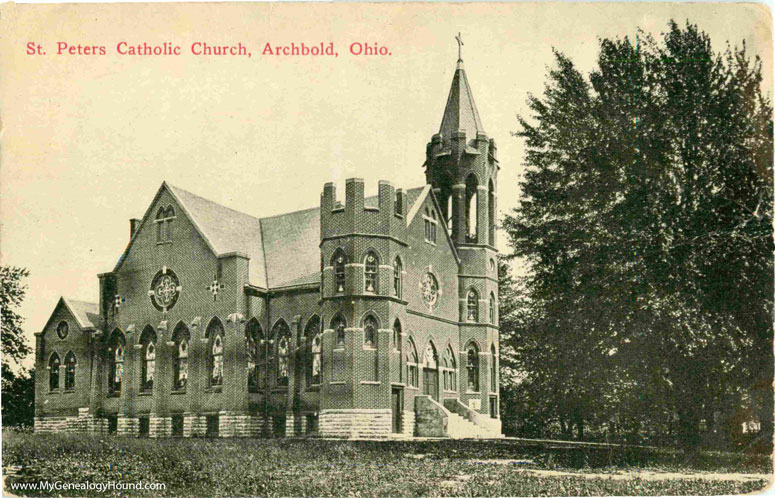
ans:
(360, 317)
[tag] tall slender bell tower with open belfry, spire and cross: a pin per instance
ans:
(461, 165)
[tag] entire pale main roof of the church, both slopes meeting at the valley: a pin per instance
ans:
(284, 250)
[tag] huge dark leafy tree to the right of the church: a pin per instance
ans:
(646, 227)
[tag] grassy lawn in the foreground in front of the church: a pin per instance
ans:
(312, 467)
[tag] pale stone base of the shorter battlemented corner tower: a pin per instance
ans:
(355, 423)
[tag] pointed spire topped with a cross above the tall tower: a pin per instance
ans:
(460, 113)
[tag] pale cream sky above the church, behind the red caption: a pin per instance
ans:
(87, 140)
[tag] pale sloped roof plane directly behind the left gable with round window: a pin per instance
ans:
(226, 230)
